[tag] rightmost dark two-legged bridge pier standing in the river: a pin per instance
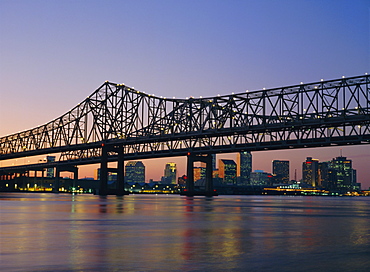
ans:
(207, 159)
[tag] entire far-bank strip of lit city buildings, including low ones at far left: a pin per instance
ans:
(335, 176)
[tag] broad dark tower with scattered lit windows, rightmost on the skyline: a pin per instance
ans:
(344, 175)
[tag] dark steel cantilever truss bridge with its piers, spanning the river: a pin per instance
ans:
(117, 123)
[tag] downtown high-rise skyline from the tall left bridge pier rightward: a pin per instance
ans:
(336, 174)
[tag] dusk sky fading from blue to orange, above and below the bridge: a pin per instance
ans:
(53, 54)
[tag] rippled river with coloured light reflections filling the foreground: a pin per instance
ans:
(48, 232)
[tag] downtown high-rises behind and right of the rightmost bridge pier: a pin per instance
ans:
(335, 175)
